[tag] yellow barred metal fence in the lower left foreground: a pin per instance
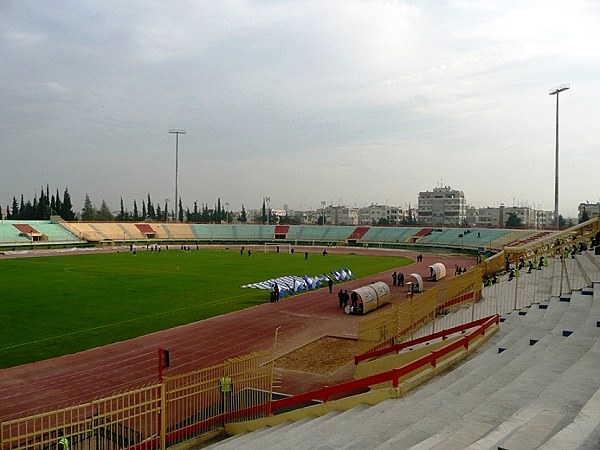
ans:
(153, 416)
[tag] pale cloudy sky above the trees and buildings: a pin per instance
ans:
(348, 102)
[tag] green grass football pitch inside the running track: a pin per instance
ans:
(52, 306)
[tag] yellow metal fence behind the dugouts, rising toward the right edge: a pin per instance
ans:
(514, 278)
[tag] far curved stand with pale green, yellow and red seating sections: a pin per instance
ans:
(131, 231)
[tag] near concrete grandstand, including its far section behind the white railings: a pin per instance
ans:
(534, 384)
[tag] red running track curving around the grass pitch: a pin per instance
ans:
(103, 371)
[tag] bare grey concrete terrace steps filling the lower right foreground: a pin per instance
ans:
(518, 398)
